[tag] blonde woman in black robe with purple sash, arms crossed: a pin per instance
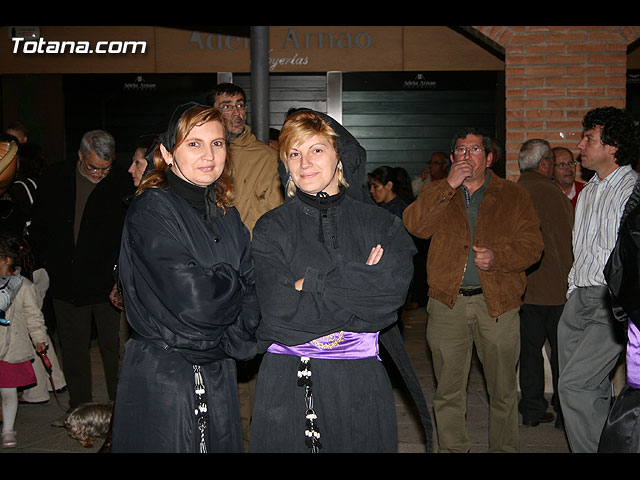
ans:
(332, 270)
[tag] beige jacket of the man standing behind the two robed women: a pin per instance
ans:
(257, 184)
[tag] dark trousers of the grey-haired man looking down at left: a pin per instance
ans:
(74, 331)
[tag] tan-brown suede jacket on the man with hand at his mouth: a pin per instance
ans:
(507, 224)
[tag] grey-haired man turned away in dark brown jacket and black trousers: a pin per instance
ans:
(546, 283)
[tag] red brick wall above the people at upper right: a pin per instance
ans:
(554, 75)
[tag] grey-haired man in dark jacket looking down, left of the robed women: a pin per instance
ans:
(76, 229)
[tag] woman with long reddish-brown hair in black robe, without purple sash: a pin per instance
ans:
(189, 293)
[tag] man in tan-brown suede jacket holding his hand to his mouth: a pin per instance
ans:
(484, 233)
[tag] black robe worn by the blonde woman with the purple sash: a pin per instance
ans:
(353, 399)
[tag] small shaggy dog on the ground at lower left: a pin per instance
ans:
(89, 422)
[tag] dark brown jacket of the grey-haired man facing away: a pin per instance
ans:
(547, 279)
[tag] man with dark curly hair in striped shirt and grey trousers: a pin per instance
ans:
(589, 339)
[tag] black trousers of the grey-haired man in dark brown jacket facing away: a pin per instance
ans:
(538, 323)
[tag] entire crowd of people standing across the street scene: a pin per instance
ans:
(240, 291)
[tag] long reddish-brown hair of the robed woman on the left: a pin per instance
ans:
(157, 177)
